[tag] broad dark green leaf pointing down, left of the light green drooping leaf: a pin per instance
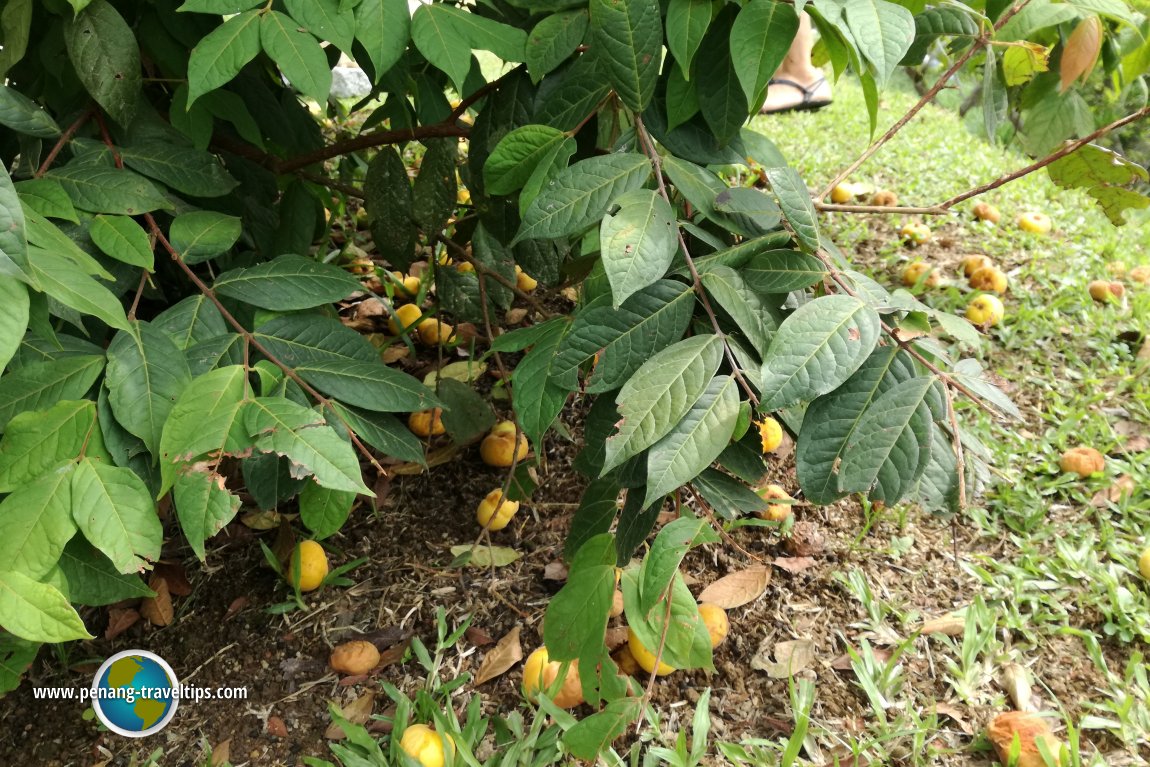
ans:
(147, 374)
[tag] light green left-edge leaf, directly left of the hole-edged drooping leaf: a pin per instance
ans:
(36, 523)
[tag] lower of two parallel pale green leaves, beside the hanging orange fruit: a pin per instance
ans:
(695, 442)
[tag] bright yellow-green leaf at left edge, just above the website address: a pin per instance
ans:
(37, 612)
